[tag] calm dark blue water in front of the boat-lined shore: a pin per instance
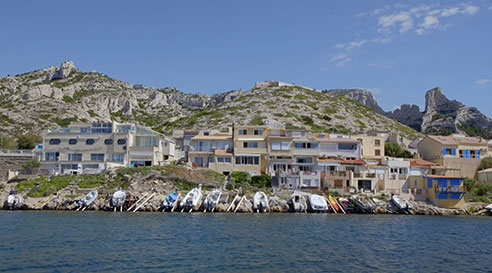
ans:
(99, 241)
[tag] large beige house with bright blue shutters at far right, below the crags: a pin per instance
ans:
(454, 152)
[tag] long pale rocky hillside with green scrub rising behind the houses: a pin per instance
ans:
(52, 97)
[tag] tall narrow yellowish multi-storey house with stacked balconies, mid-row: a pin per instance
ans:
(250, 148)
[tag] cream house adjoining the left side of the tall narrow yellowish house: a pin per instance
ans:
(214, 152)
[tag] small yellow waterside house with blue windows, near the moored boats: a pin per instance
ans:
(445, 191)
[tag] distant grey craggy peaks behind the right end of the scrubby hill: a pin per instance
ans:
(440, 116)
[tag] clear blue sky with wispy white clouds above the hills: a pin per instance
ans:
(397, 50)
